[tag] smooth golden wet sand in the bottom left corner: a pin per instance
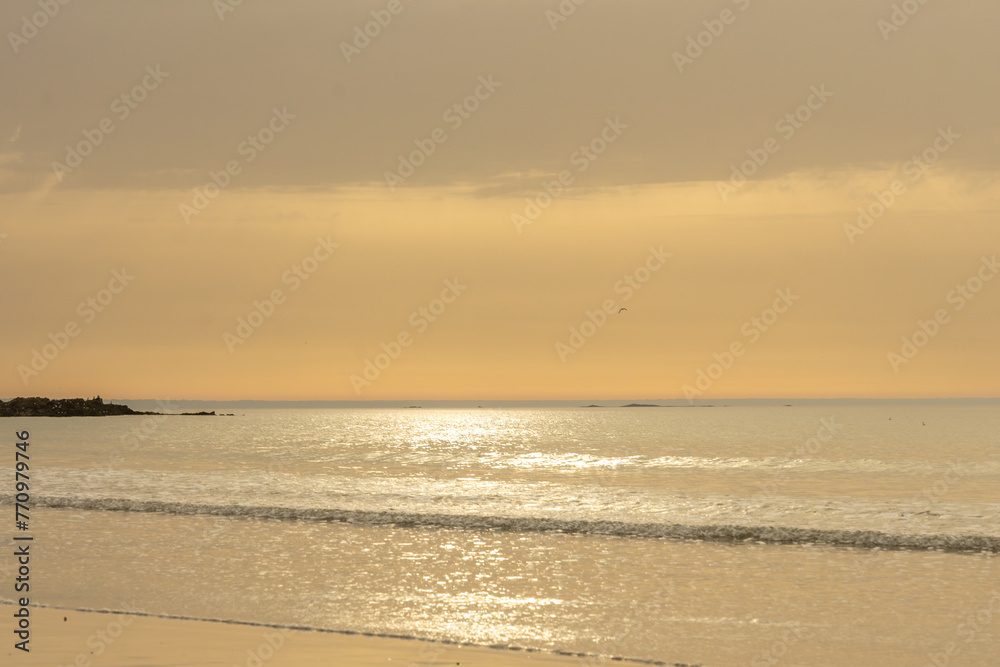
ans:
(94, 639)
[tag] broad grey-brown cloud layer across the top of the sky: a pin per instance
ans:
(356, 118)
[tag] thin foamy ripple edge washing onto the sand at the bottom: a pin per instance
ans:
(381, 635)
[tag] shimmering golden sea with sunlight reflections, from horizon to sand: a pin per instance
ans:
(742, 535)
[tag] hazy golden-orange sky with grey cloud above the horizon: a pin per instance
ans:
(260, 200)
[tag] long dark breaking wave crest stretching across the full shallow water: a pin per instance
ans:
(765, 534)
